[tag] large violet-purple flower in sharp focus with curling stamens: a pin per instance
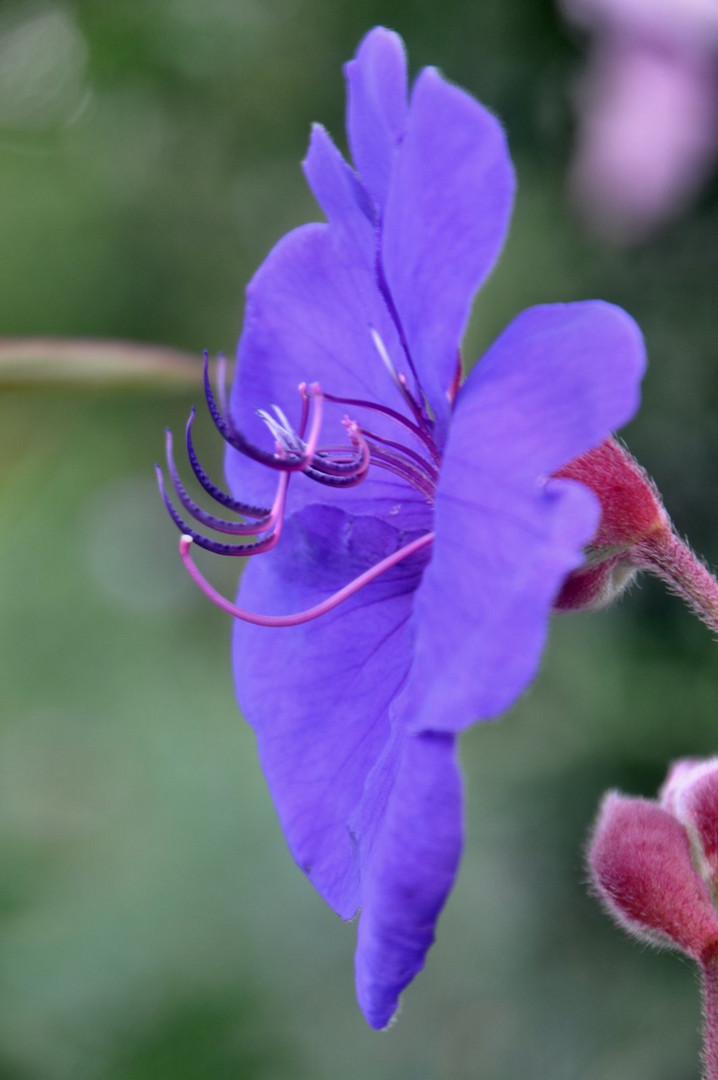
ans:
(414, 512)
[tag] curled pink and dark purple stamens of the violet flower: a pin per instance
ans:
(299, 451)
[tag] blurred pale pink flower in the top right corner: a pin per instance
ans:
(648, 133)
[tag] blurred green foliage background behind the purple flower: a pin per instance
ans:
(153, 926)
